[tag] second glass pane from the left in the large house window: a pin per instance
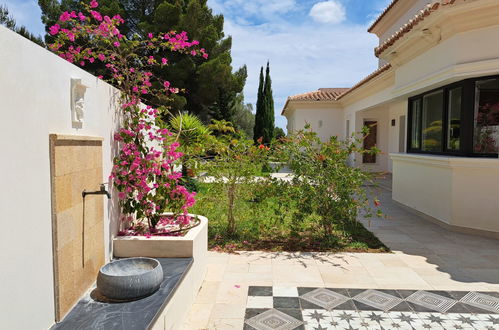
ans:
(431, 139)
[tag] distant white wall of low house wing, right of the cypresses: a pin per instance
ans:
(326, 122)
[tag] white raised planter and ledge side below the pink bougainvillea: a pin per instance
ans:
(193, 245)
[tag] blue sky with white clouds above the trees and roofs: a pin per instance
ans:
(310, 44)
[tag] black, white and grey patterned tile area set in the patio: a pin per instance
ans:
(288, 308)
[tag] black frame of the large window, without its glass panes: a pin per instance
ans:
(467, 116)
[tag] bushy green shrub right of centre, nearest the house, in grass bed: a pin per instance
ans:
(323, 182)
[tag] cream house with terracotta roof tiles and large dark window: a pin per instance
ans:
(432, 107)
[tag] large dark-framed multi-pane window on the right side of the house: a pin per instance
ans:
(461, 119)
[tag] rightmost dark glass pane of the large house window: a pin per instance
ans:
(486, 123)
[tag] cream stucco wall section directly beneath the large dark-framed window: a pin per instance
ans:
(461, 192)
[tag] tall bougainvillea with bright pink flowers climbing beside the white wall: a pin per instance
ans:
(143, 172)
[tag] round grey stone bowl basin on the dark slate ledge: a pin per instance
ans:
(130, 279)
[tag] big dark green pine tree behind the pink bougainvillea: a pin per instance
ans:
(207, 87)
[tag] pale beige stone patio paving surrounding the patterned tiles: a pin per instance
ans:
(425, 257)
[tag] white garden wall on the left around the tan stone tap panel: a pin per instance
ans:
(35, 94)
